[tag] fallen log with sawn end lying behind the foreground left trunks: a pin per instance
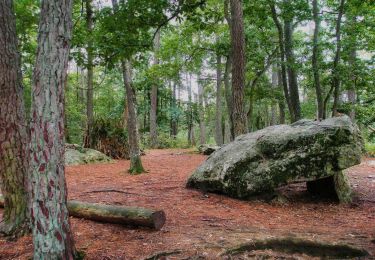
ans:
(134, 216)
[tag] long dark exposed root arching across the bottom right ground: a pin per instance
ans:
(293, 246)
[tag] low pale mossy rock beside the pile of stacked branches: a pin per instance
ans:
(76, 155)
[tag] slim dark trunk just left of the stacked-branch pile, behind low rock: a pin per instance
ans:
(90, 76)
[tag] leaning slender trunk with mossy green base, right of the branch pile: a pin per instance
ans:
(136, 166)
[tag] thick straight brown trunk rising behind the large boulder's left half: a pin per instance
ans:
(238, 67)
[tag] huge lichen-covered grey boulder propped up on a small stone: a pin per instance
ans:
(257, 163)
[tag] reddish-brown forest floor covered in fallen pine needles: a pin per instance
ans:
(202, 226)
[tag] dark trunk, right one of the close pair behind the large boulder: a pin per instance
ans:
(291, 64)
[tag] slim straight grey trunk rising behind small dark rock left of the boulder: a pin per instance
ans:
(219, 117)
